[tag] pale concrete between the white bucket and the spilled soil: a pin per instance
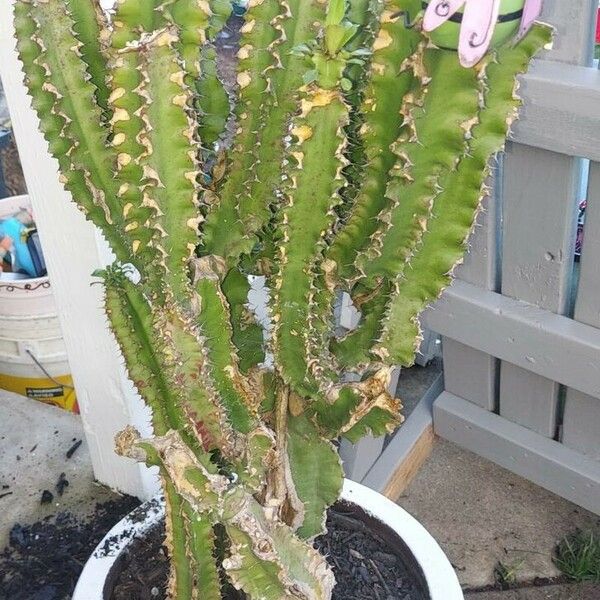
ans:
(34, 440)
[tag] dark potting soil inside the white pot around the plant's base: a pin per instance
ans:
(369, 562)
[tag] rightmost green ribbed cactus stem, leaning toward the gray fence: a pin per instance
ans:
(445, 241)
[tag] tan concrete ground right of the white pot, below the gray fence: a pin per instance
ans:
(481, 515)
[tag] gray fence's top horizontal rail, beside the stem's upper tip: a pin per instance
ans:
(562, 109)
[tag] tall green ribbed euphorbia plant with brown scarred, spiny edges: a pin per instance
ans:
(358, 162)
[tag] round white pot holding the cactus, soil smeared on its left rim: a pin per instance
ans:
(437, 570)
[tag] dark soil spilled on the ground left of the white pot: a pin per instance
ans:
(43, 560)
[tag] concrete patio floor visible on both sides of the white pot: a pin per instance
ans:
(479, 513)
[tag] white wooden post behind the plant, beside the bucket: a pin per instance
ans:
(73, 250)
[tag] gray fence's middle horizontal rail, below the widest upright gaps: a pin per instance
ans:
(532, 338)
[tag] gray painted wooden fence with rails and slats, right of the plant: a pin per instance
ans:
(521, 325)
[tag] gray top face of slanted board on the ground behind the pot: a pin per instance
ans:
(403, 442)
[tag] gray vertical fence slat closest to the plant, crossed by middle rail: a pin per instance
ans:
(469, 373)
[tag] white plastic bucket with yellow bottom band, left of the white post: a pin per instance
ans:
(33, 357)
